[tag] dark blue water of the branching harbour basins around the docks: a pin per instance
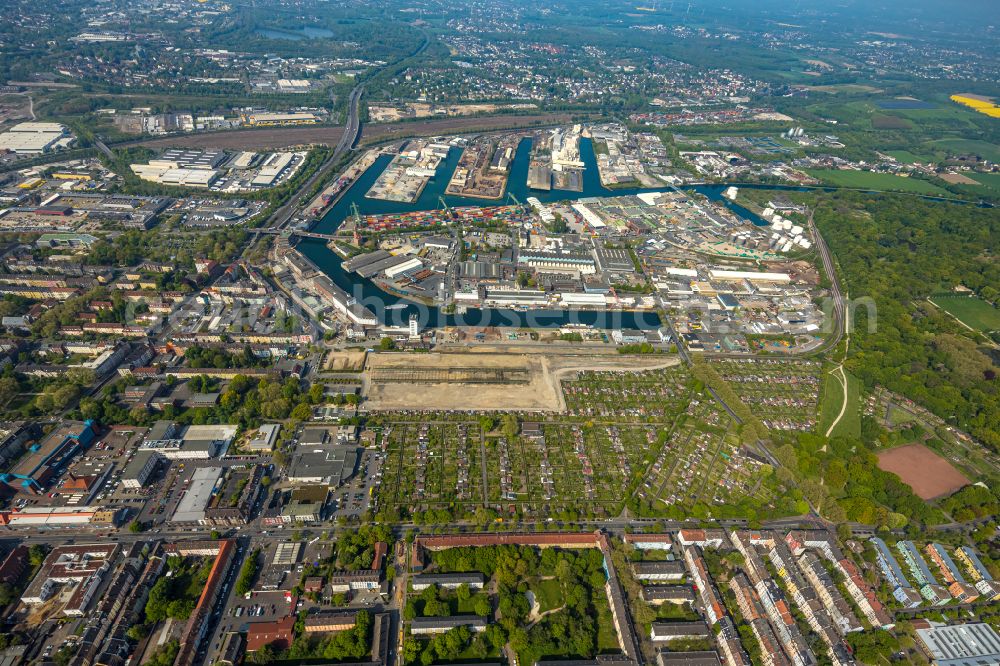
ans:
(393, 310)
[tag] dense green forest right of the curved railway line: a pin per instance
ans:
(898, 251)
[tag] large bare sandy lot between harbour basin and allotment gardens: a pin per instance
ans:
(542, 392)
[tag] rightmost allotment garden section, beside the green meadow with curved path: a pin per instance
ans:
(783, 393)
